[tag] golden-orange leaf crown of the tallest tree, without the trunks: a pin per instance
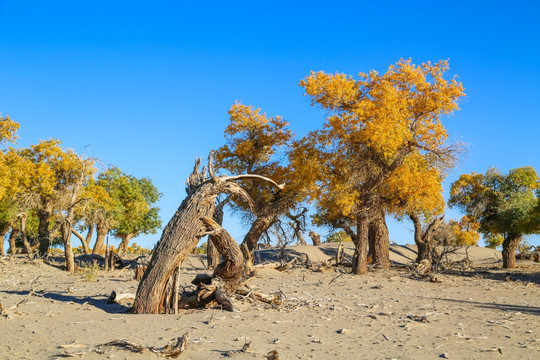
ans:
(383, 139)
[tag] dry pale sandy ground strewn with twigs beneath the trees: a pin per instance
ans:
(478, 313)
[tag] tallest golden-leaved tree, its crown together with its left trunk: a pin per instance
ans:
(374, 125)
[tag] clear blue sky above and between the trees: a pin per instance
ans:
(146, 85)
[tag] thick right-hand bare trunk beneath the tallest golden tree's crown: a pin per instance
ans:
(380, 244)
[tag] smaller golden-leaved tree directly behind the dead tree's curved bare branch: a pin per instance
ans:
(258, 144)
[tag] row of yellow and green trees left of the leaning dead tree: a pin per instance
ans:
(49, 193)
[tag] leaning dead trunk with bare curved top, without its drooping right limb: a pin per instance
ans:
(182, 234)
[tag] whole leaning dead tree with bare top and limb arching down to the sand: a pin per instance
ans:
(158, 288)
